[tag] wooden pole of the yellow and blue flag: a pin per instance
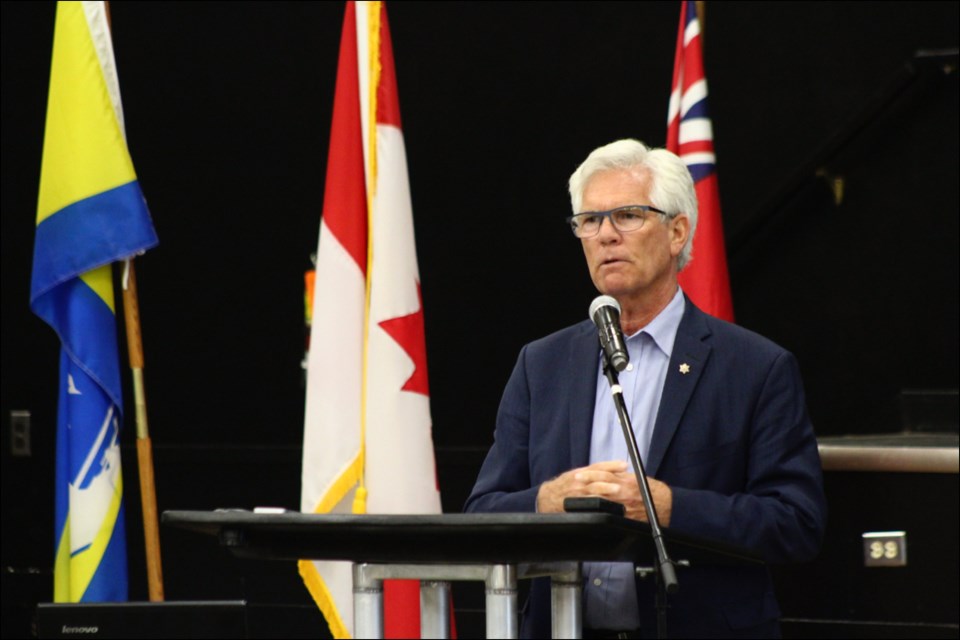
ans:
(148, 491)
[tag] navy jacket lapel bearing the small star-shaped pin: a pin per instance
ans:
(689, 358)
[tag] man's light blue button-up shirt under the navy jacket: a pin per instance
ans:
(610, 593)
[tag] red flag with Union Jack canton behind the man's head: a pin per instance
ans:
(690, 136)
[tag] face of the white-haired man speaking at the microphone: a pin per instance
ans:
(626, 265)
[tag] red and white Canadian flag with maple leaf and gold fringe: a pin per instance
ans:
(367, 435)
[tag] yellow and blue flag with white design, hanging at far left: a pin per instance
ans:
(90, 214)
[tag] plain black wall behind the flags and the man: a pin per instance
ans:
(227, 110)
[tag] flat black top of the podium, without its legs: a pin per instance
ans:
(488, 538)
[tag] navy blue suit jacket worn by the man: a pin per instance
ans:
(732, 439)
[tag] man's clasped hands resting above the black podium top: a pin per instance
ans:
(612, 480)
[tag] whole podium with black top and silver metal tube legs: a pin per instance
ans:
(497, 549)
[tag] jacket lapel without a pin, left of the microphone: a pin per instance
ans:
(584, 354)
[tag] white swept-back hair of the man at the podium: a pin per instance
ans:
(671, 183)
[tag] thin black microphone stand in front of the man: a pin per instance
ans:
(666, 575)
